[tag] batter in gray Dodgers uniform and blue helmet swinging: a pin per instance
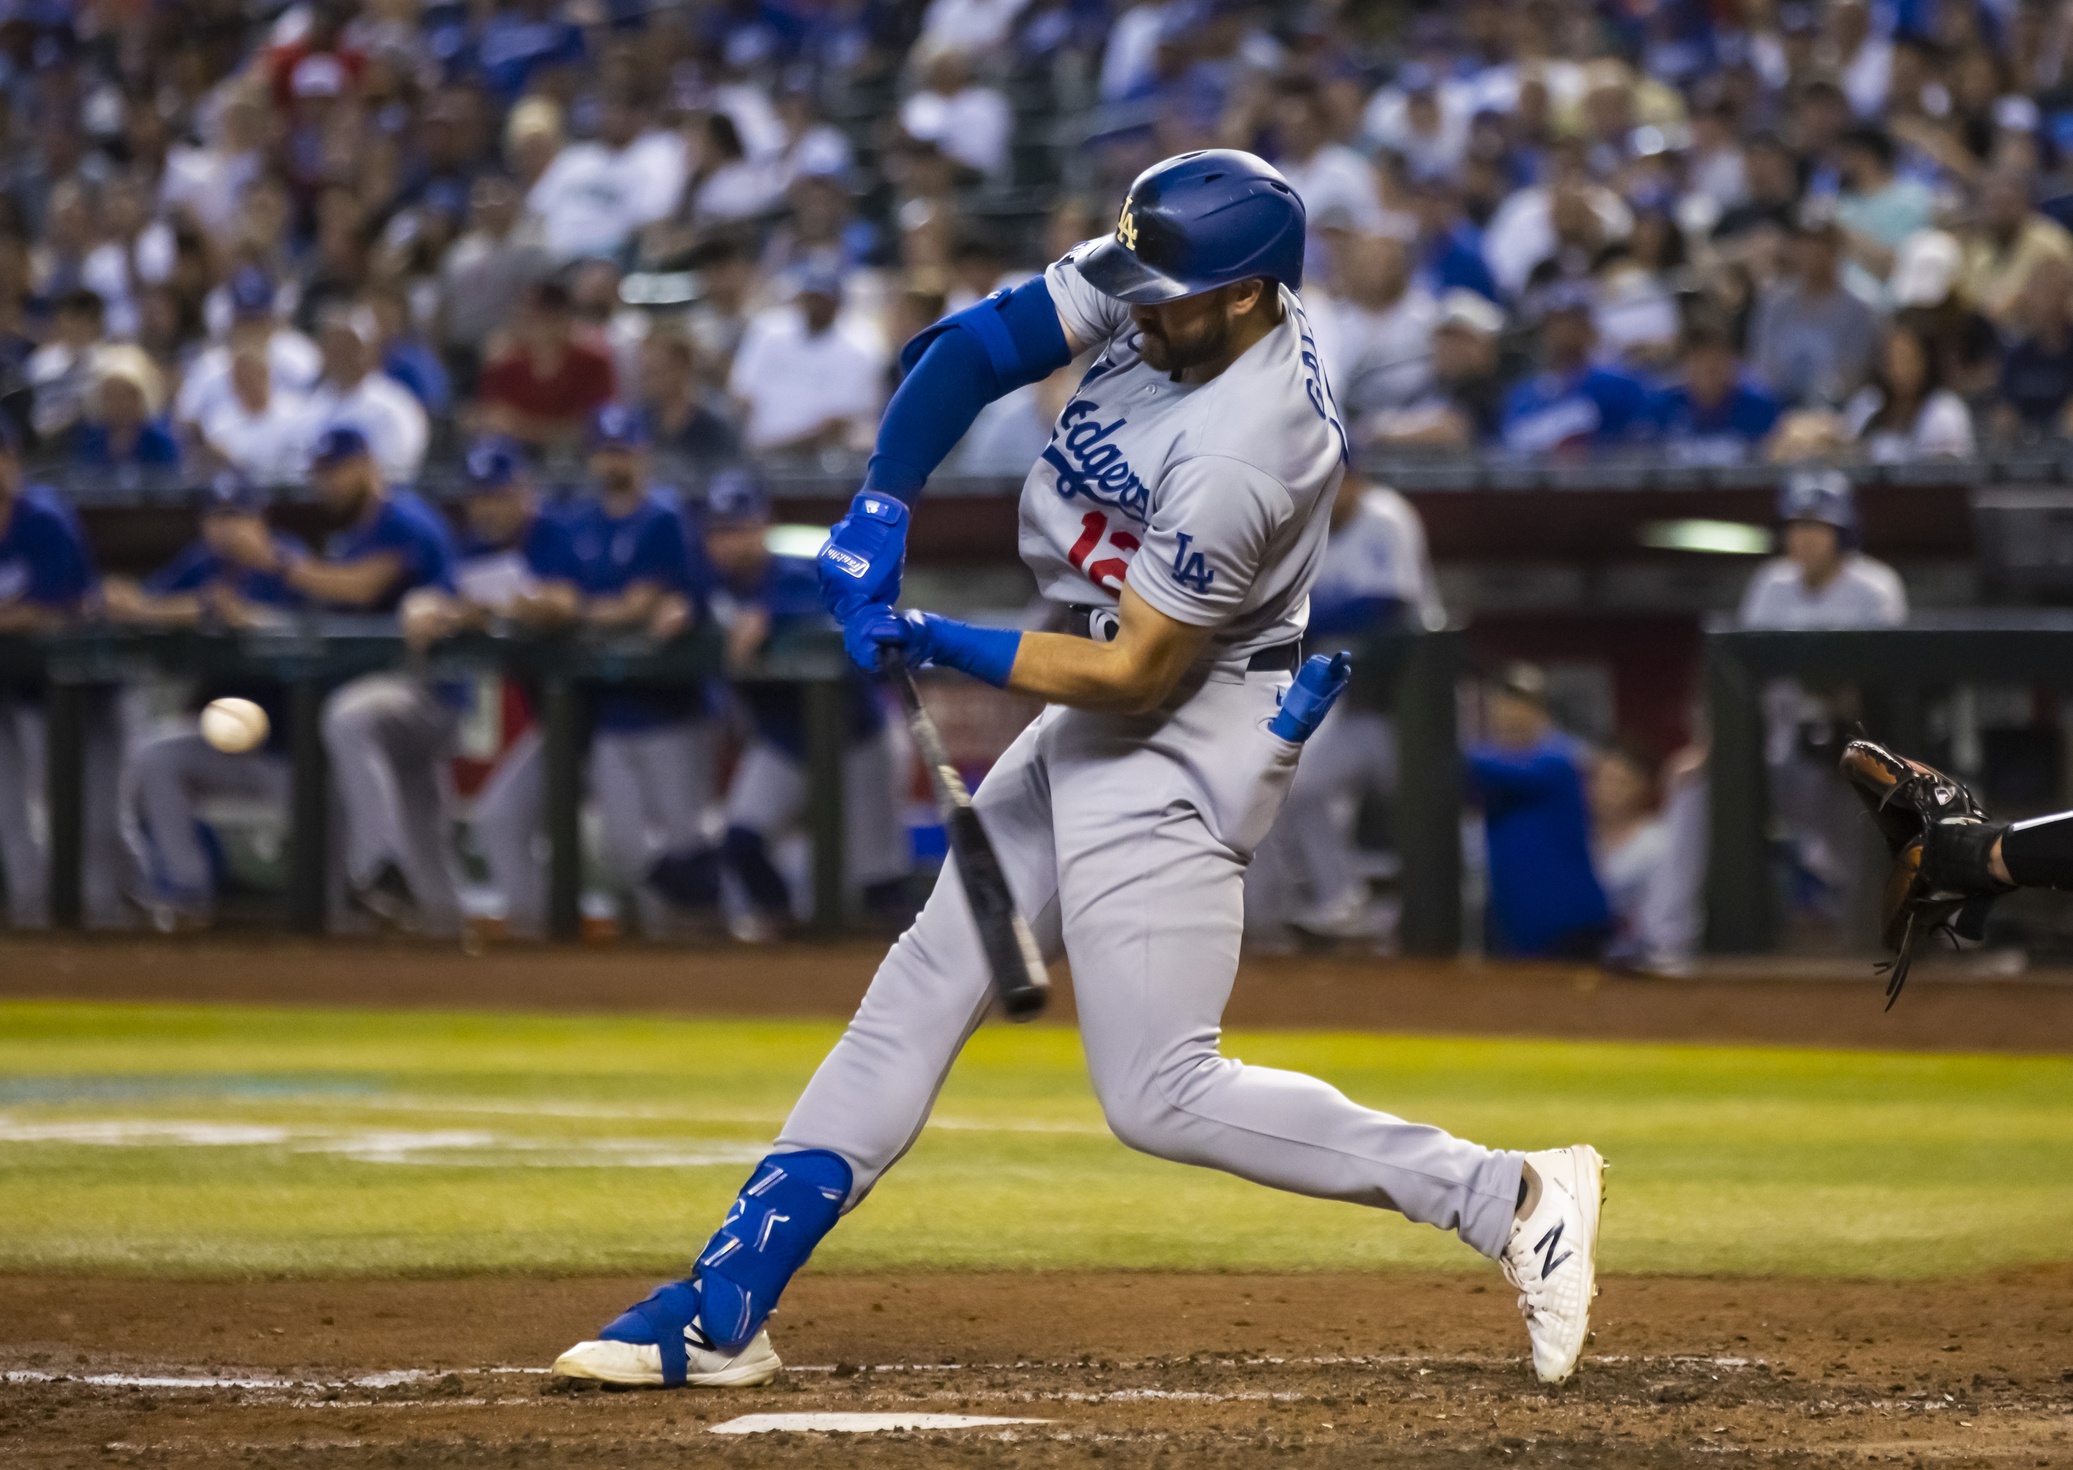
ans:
(1179, 517)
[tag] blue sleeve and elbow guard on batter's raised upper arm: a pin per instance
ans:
(955, 370)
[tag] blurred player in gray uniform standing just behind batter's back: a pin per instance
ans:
(1375, 573)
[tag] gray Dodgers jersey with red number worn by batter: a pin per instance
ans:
(1212, 499)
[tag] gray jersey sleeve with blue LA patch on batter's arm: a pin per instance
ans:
(1210, 534)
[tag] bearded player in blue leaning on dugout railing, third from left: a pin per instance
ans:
(389, 735)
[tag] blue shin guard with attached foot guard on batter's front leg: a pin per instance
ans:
(780, 1216)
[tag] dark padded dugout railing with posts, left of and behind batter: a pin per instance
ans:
(1411, 673)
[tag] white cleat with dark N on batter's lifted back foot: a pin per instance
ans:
(1554, 1257)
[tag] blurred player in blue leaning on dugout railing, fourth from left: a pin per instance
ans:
(517, 565)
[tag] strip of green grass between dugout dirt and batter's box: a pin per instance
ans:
(445, 1141)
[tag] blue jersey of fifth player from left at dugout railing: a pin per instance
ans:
(650, 544)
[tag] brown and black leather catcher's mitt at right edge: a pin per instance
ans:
(1941, 841)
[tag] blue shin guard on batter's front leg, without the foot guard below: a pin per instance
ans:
(780, 1216)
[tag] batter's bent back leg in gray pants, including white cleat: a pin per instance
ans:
(1152, 839)
